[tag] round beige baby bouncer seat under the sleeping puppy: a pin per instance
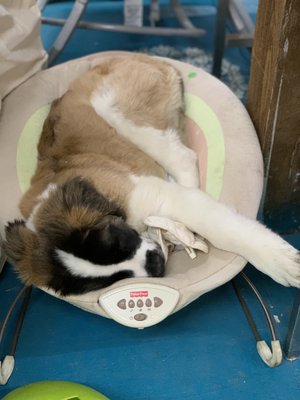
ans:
(231, 170)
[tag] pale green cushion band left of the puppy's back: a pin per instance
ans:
(27, 147)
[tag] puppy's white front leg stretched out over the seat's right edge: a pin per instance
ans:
(222, 226)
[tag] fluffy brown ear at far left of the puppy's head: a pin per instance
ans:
(22, 249)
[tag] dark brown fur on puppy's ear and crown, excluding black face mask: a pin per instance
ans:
(74, 205)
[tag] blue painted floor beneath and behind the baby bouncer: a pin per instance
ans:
(205, 351)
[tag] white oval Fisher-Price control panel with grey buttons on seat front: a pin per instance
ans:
(139, 306)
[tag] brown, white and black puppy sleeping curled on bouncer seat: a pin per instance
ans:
(104, 156)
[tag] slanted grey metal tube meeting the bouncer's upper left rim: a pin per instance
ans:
(67, 30)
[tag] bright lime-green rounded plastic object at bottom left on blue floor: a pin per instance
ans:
(54, 390)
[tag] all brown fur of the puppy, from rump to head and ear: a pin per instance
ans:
(77, 143)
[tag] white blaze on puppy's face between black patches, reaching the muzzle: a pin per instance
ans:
(85, 269)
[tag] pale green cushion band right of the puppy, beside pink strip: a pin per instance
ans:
(208, 122)
